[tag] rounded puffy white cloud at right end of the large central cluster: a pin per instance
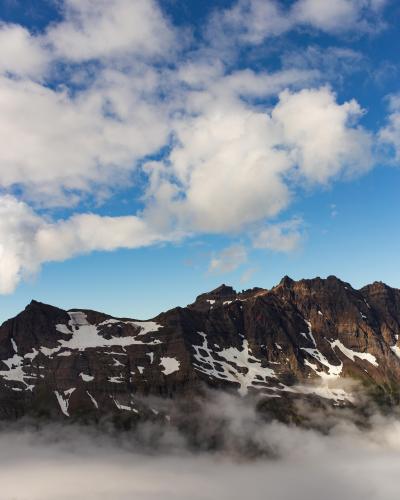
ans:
(321, 134)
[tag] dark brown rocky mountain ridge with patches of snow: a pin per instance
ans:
(298, 340)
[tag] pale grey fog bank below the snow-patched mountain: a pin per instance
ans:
(67, 462)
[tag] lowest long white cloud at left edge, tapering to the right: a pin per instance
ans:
(27, 240)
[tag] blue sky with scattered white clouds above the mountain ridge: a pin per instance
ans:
(153, 150)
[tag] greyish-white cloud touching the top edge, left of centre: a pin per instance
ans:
(95, 29)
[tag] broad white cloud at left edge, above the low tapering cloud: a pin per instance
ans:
(52, 141)
